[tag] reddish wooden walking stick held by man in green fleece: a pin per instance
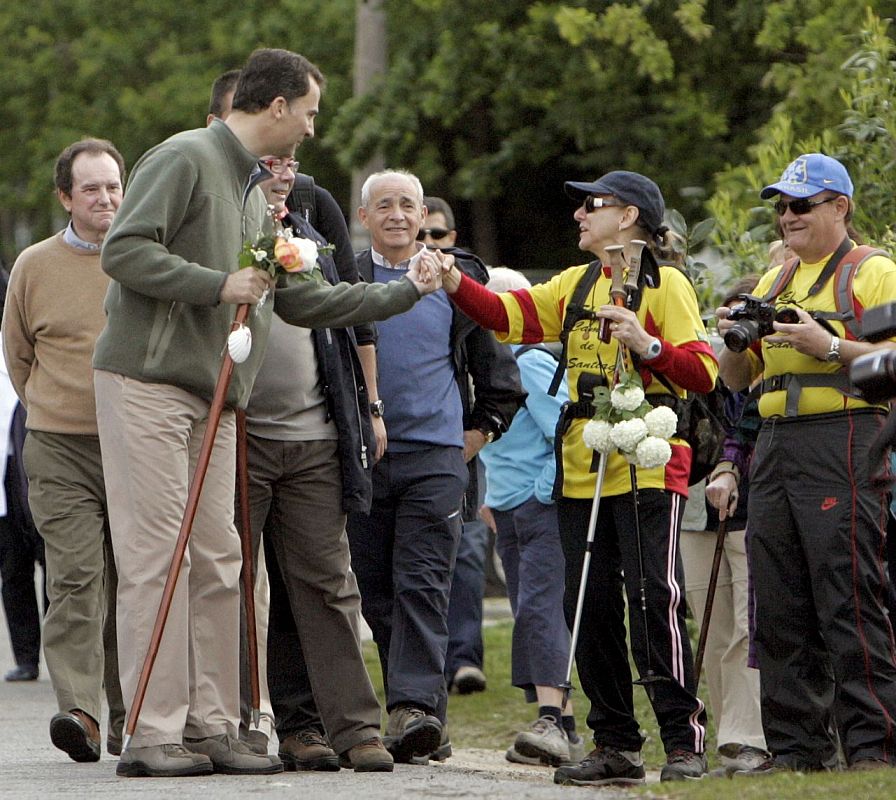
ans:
(205, 452)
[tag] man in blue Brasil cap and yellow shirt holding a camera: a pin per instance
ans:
(824, 644)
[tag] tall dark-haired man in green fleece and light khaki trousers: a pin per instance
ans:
(173, 256)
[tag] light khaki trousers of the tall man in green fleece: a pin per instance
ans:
(151, 436)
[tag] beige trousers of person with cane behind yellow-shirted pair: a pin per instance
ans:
(733, 686)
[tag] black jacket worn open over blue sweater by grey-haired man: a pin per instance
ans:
(496, 391)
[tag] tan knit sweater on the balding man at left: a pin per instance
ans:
(52, 317)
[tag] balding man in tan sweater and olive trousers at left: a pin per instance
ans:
(52, 317)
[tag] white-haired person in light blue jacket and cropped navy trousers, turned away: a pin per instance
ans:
(520, 471)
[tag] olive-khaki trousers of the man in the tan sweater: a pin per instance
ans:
(68, 502)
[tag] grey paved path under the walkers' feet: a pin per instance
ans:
(32, 769)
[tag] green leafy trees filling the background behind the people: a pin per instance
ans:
(494, 105)
